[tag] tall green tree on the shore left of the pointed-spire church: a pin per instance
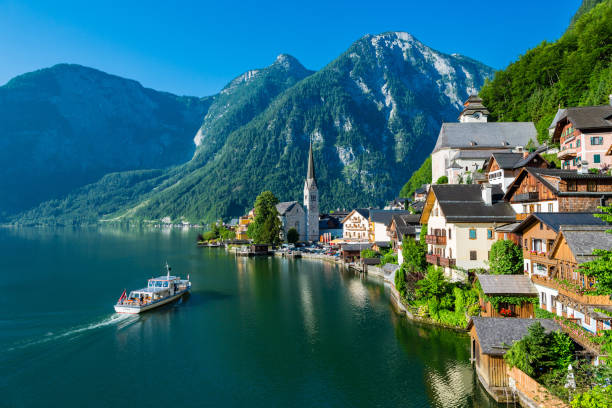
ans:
(266, 227)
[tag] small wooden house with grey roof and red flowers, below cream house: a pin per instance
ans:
(518, 286)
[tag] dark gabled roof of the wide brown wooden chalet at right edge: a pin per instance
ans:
(560, 174)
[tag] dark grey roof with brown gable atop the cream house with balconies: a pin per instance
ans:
(464, 203)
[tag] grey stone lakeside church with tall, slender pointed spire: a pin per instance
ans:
(304, 219)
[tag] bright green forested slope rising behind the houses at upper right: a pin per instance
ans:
(575, 70)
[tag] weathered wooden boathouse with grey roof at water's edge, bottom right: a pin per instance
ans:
(490, 338)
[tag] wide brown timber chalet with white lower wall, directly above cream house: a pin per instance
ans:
(557, 190)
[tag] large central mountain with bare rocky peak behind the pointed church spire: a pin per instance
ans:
(373, 115)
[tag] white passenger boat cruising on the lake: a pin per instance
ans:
(159, 291)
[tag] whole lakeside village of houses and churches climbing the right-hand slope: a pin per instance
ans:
(491, 183)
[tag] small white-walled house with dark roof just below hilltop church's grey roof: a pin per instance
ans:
(503, 167)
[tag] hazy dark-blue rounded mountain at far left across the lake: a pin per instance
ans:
(68, 125)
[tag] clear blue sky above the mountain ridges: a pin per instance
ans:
(196, 47)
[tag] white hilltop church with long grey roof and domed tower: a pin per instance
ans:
(463, 148)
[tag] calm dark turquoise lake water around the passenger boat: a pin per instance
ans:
(259, 332)
